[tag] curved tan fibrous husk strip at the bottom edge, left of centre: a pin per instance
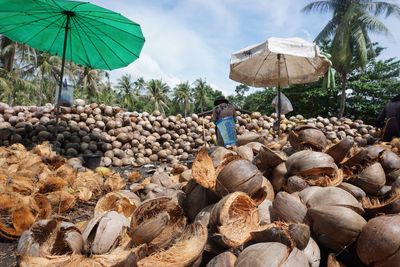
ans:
(186, 250)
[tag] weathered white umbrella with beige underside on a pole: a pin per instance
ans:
(278, 62)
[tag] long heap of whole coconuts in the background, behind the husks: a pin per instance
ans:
(126, 139)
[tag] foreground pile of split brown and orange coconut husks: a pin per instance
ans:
(298, 202)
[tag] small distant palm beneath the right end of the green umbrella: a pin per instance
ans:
(127, 91)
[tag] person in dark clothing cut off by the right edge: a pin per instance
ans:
(389, 119)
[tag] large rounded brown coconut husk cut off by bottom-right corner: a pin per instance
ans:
(379, 241)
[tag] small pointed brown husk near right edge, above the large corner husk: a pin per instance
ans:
(372, 178)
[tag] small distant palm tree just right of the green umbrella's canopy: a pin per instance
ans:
(157, 92)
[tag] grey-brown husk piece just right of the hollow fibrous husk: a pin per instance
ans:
(288, 208)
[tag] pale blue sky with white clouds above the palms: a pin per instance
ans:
(191, 39)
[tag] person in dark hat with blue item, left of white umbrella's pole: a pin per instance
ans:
(224, 115)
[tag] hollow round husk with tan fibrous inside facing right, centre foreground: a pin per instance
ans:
(233, 218)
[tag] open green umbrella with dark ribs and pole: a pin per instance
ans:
(81, 32)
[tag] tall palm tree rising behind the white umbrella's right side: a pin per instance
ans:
(352, 22)
